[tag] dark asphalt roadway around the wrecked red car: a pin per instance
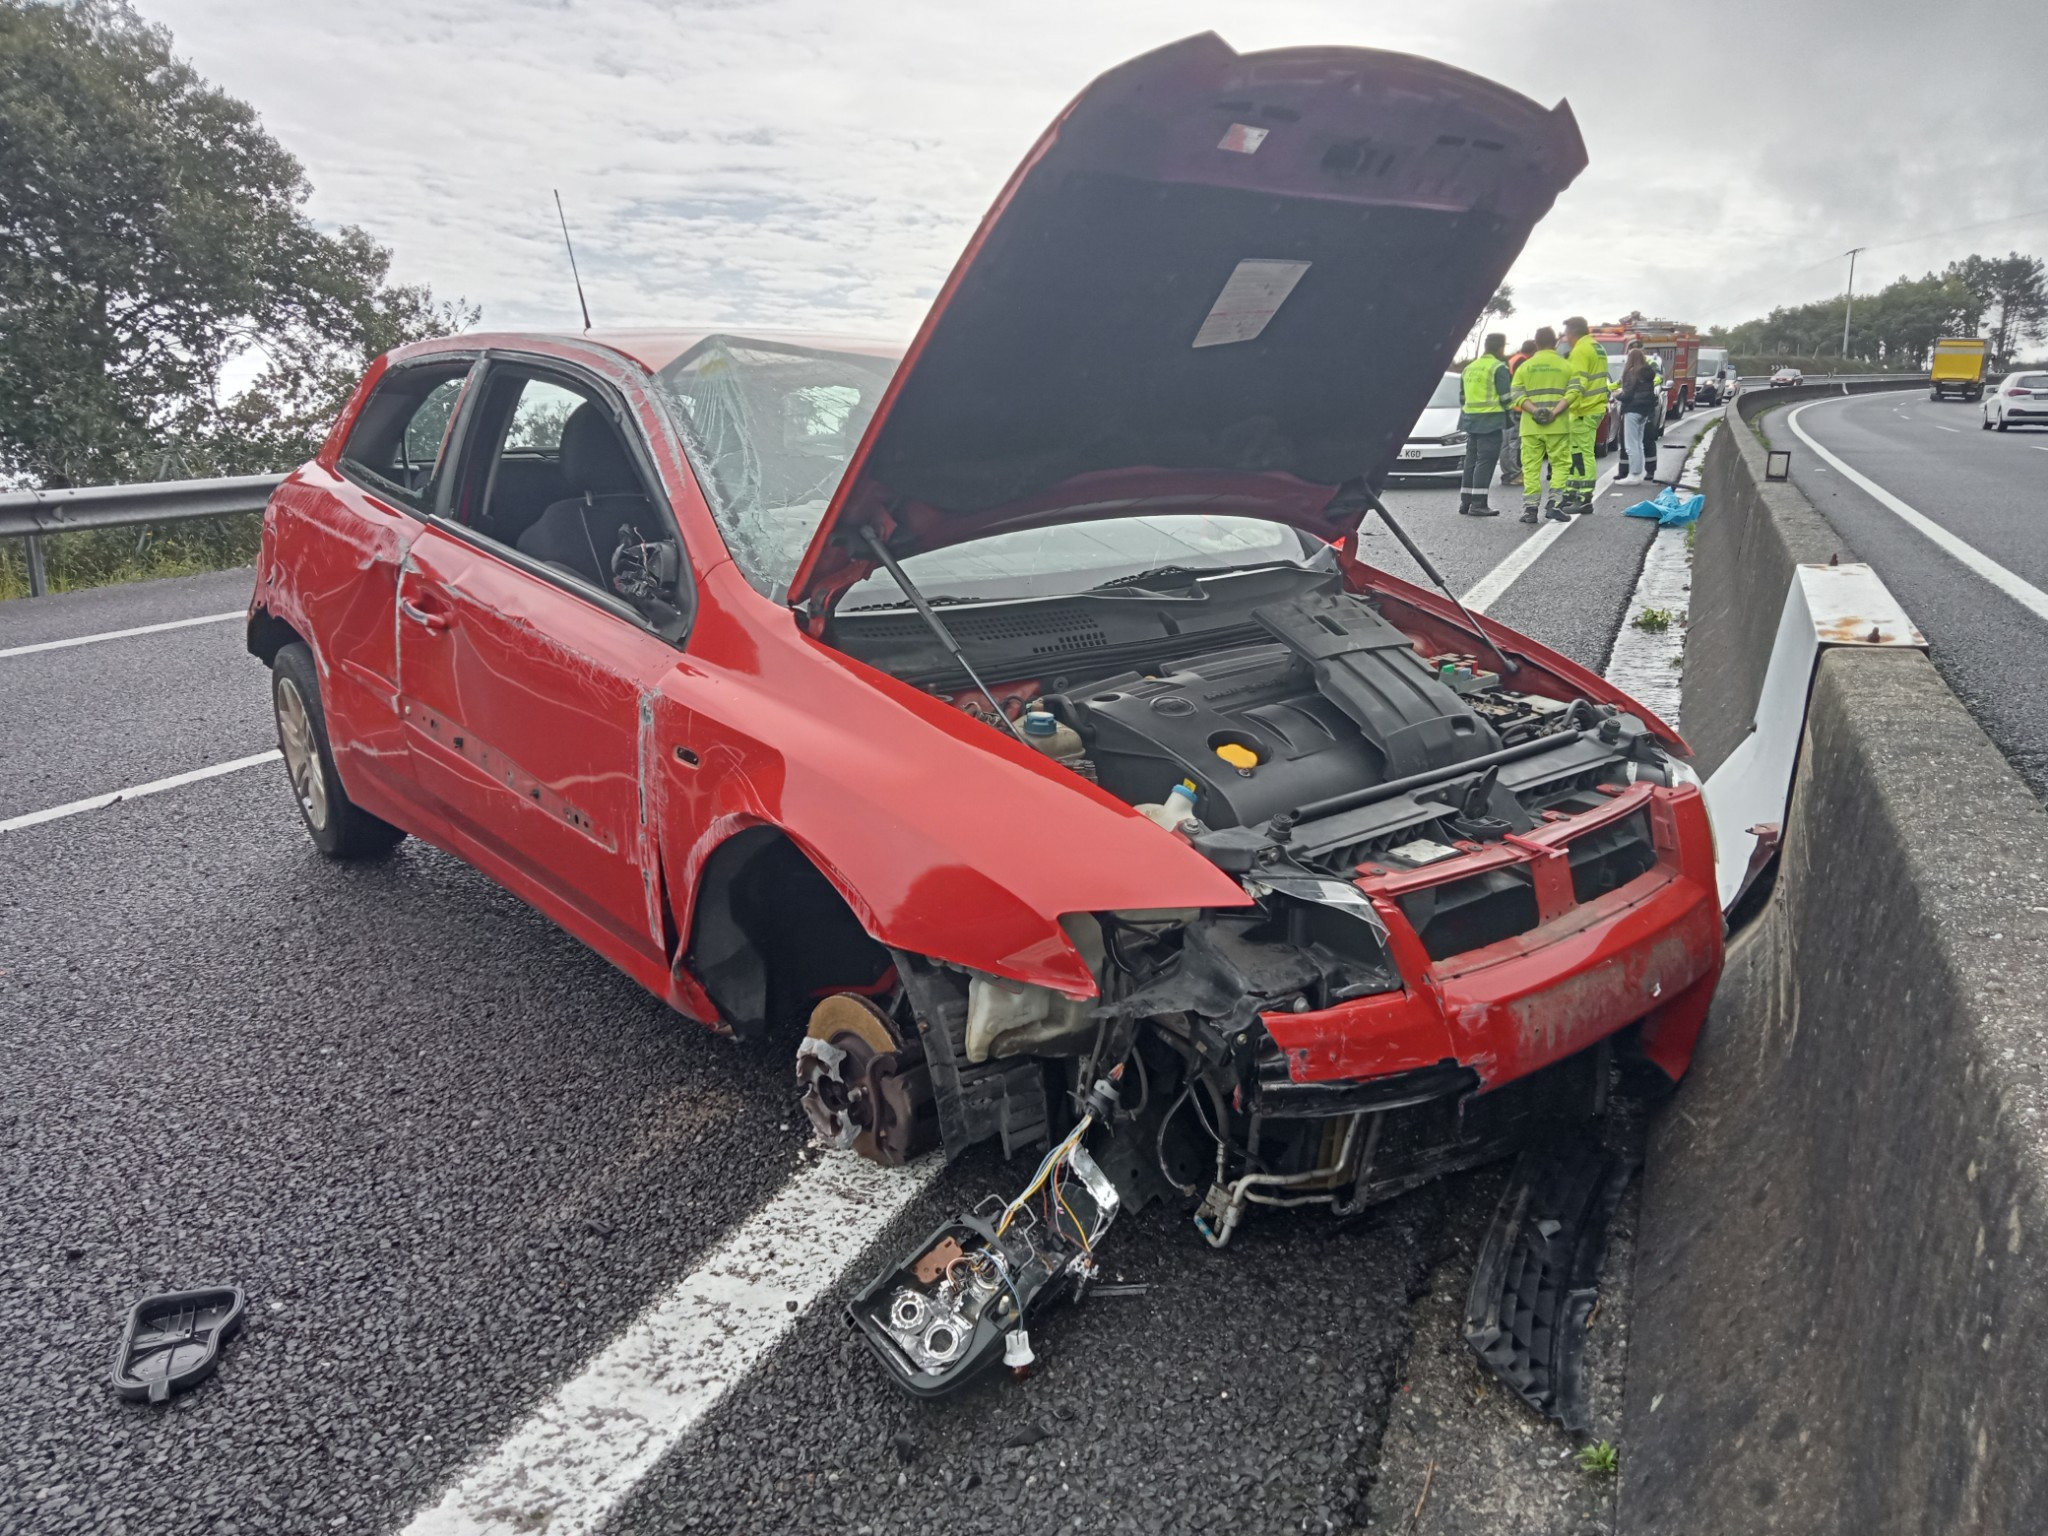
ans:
(452, 1156)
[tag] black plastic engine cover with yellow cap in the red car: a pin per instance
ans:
(1338, 701)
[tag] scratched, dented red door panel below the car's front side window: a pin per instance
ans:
(523, 712)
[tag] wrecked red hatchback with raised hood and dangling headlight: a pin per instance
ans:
(1011, 724)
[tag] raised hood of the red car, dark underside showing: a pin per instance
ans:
(1220, 284)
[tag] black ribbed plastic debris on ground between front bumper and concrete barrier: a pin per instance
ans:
(1539, 1273)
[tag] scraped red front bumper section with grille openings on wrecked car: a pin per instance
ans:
(1646, 951)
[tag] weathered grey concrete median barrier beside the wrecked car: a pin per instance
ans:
(1842, 1293)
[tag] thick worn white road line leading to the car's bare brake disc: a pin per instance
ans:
(583, 1451)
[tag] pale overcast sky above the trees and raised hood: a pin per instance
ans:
(820, 163)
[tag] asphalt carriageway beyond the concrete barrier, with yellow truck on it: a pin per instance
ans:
(1988, 490)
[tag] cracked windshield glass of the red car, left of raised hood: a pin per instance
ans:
(769, 429)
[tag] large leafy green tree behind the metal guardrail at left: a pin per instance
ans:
(151, 232)
